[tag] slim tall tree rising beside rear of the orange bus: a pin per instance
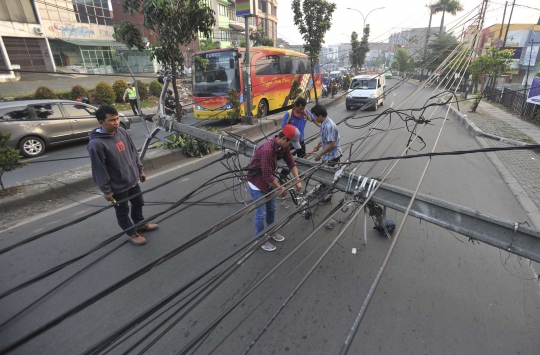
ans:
(313, 19)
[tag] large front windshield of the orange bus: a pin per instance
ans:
(219, 76)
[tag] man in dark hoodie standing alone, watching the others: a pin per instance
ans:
(117, 169)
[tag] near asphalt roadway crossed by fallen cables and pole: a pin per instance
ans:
(440, 294)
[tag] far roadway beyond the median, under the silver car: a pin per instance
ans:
(77, 149)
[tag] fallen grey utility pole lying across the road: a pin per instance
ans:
(513, 237)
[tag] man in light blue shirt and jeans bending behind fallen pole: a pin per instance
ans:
(331, 153)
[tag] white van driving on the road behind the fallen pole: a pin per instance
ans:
(365, 88)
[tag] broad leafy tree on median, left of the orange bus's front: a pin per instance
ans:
(175, 22)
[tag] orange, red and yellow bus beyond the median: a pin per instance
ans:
(278, 77)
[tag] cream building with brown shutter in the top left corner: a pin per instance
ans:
(23, 42)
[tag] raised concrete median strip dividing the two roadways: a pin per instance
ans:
(80, 179)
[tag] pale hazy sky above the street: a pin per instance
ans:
(398, 15)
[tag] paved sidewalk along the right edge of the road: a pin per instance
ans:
(520, 168)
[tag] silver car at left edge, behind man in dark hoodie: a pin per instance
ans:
(37, 124)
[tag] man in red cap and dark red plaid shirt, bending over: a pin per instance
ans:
(261, 179)
